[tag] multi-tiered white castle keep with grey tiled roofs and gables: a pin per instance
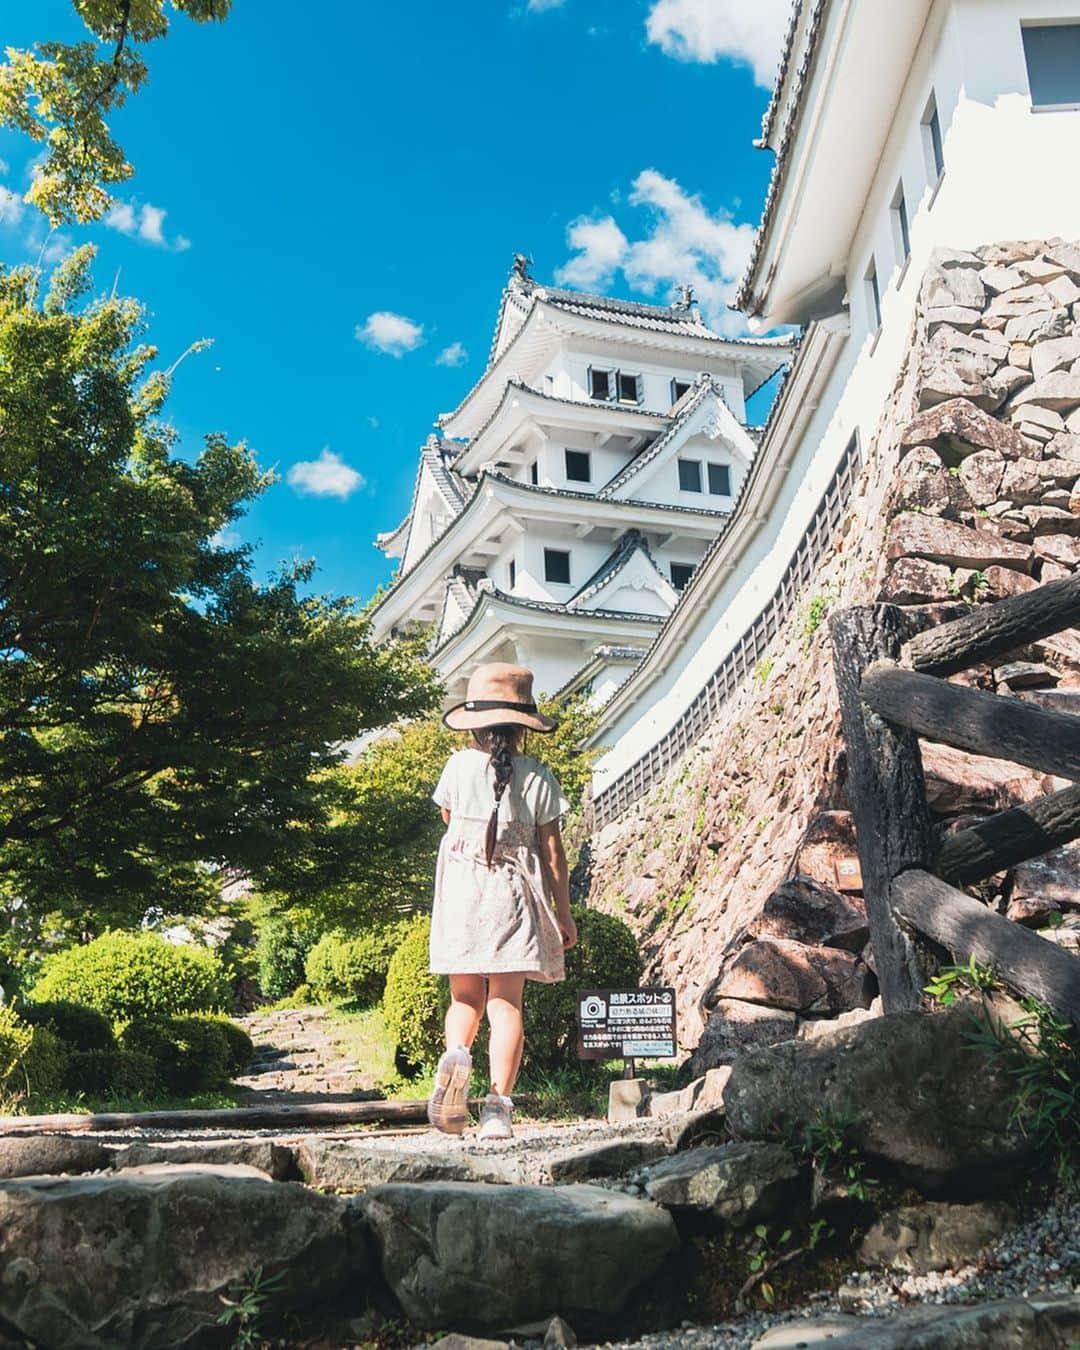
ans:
(564, 506)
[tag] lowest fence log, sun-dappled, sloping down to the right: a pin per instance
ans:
(1024, 961)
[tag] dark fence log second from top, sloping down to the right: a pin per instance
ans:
(985, 724)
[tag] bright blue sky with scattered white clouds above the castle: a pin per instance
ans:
(387, 161)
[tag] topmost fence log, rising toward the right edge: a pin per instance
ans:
(994, 630)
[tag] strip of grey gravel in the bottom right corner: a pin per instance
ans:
(1040, 1256)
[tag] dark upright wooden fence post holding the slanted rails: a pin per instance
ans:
(888, 794)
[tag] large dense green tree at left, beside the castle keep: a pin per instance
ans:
(163, 715)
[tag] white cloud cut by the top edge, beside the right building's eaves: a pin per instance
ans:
(708, 30)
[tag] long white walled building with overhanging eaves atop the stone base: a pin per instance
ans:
(898, 126)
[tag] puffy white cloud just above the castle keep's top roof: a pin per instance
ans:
(684, 244)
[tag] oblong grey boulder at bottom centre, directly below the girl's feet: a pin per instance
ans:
(481, 1258)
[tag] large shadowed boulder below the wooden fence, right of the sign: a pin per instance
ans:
(920, 1097)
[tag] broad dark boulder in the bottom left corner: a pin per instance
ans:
(142, 1262)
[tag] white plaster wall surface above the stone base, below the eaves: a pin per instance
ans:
(1010, 173)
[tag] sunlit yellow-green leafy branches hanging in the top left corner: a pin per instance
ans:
(61, 95)
